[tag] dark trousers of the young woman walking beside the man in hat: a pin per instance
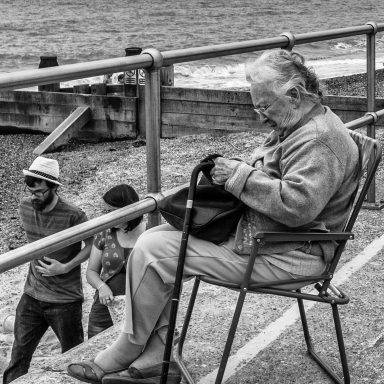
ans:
(99, 317)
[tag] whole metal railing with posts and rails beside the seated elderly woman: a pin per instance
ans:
(151, 60)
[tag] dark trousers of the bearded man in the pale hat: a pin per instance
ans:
(33, 317)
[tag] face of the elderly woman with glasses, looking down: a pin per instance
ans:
(276, 111)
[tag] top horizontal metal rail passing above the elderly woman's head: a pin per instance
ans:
(28, 78)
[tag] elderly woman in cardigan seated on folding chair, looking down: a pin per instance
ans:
(301, 178)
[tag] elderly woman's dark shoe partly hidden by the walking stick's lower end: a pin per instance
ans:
(150, 375)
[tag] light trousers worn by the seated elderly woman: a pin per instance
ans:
(151, 271)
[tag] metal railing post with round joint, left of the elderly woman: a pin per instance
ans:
(153, 128)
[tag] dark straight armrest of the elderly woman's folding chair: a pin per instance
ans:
(277, 237)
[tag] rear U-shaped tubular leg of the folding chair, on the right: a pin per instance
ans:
(323, 364)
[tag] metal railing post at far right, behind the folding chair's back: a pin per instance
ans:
(371, 96)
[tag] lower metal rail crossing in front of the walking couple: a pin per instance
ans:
(61, 239)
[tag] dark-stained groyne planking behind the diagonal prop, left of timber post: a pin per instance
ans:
(113, 117)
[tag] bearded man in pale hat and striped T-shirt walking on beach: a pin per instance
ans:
(53, 293)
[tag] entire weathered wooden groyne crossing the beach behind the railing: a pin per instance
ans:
(184, 111)
